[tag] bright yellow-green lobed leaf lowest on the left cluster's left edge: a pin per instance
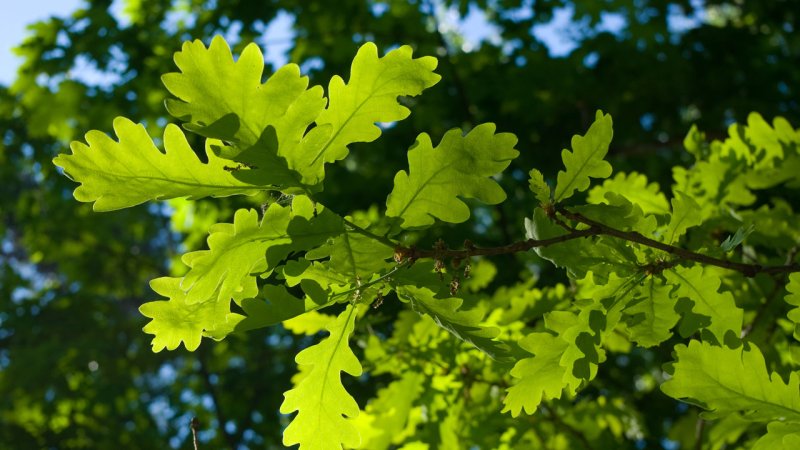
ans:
(177, 321)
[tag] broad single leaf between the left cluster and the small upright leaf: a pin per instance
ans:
(460, 166)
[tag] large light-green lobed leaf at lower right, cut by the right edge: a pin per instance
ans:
(726, 381)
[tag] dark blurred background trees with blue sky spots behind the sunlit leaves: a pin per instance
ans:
(75, 369)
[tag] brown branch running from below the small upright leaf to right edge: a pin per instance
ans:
(749, 270)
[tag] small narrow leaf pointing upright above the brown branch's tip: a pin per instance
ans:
(586, 159)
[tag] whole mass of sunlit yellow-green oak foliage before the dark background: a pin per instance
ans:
(639, 270)
